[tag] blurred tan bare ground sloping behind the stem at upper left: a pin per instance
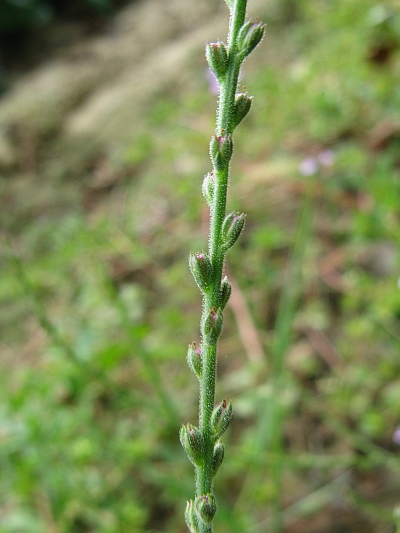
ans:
(90, 92)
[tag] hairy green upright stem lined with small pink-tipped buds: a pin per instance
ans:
(203, 443)
